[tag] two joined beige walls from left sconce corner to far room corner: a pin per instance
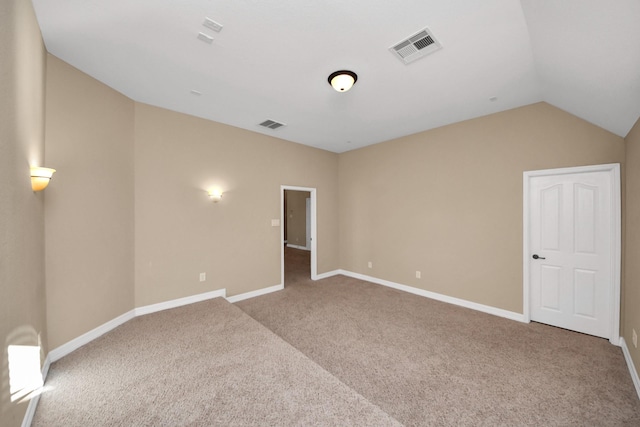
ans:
(93, 234)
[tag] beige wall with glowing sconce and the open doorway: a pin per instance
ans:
(180, 233)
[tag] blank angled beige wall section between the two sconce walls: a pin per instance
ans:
(89, 221)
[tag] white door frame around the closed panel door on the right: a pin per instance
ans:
(616, 238)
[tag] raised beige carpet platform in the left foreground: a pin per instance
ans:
(207, 364)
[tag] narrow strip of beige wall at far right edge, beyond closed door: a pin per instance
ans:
(631, 303)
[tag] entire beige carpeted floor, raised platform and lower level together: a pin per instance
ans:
(355, 354)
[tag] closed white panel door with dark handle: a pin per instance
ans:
(571, 244)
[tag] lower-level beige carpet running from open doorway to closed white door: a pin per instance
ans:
(430, 363)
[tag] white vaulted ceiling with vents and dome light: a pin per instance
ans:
(272, 59)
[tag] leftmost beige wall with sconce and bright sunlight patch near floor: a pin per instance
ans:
(22, 266)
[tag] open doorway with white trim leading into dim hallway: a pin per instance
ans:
(298, 231)
